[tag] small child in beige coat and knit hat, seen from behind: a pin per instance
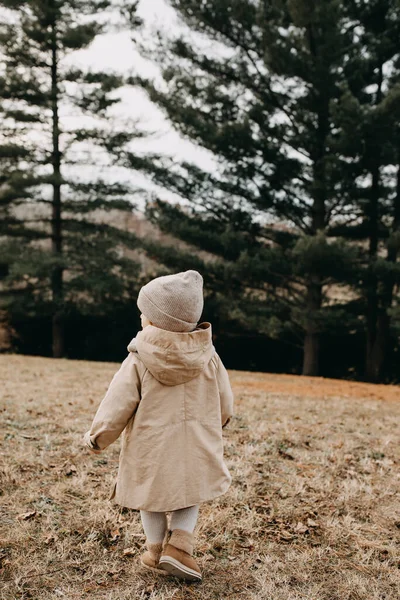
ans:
(171, 398)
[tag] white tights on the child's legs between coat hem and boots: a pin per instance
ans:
(155, 524)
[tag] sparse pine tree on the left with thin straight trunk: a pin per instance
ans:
(84, 264)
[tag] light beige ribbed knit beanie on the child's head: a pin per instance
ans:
(173, 302)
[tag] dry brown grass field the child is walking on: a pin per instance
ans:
(313, 512)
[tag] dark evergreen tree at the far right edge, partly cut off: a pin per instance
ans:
(369, 114)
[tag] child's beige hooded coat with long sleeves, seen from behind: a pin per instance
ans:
(171, 397)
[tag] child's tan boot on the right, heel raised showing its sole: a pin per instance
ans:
(177, 557)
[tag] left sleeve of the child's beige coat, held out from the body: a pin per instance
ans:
(117, 407)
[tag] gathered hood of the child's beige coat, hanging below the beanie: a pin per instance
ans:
(174, 358)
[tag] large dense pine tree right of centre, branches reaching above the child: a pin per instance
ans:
(261, 104)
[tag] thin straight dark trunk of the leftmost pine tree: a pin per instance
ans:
(56, 223)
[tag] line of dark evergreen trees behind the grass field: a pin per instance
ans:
(295, 228)
